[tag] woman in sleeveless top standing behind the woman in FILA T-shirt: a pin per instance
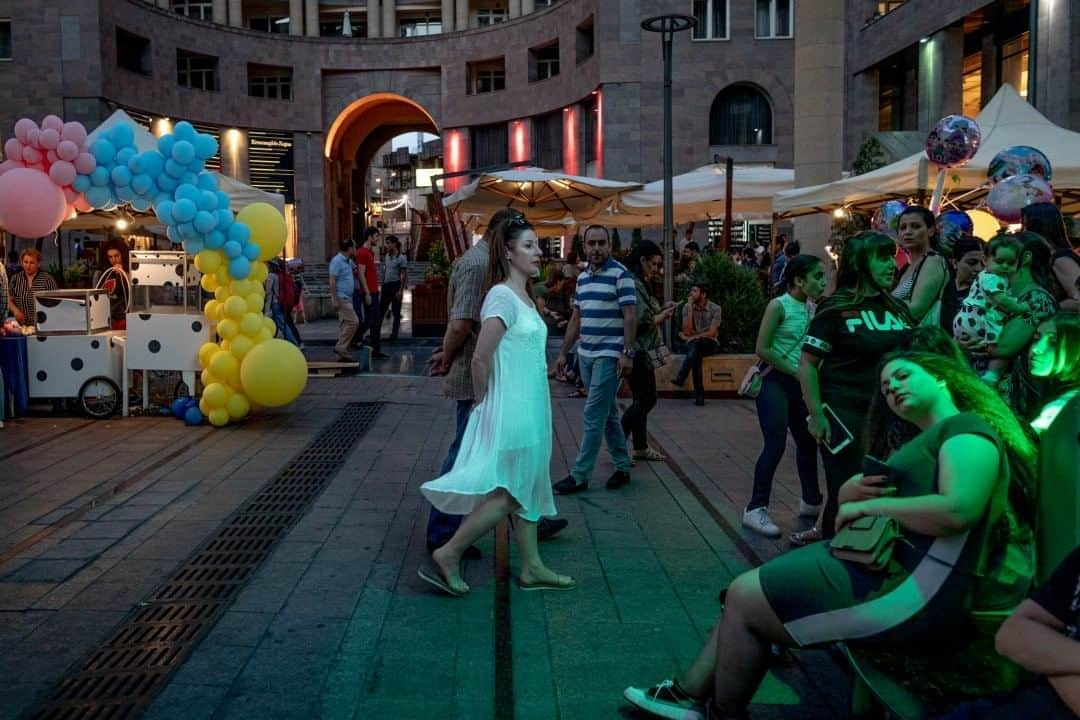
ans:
(924, 280)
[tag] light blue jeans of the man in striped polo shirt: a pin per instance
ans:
(601, 376)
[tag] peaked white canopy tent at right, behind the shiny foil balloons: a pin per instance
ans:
(1006, 121)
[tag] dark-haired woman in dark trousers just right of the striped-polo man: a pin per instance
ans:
(646, 263)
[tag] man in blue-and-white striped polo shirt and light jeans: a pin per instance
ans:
(605, 317)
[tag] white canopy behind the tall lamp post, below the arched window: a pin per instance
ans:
(699, 196)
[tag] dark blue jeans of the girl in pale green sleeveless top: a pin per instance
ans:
(780, 409)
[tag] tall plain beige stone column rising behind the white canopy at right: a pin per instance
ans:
(819, 107)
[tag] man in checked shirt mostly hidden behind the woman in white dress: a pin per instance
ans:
(454, 360)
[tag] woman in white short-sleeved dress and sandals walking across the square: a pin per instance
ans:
(504, 466)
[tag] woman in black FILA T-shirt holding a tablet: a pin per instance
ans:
(852, 331)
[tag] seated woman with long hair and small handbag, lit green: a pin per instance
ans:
(961, 493)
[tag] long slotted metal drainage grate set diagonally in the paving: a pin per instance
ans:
(121, 678)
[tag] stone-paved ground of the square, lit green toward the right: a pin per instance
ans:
(335, 624)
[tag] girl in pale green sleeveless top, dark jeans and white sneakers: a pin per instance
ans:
(780, 406)
